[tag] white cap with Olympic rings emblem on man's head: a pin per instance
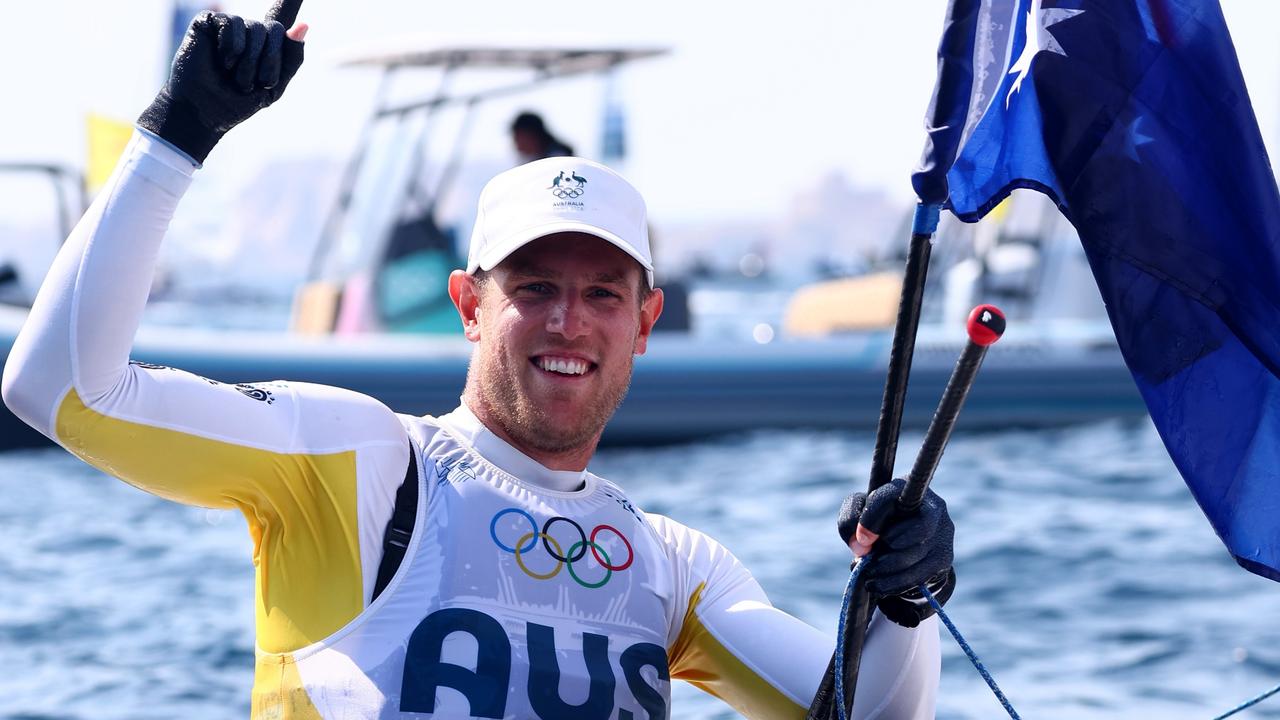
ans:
(559, 195)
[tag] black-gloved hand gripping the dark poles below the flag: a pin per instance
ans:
(909, 550)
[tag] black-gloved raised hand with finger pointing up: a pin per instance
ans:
(226, 70)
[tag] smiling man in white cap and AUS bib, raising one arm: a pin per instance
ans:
(525, 585)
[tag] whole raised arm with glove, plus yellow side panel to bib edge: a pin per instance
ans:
(312, 468)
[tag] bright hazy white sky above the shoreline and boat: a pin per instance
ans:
(756, 101)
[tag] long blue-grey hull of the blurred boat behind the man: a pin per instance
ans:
(684, 388)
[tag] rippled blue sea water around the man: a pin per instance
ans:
(1089, 580)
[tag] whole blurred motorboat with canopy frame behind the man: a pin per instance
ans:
(374, 316)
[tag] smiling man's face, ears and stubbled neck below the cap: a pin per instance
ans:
(559, 323)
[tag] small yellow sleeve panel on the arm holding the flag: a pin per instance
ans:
(705, 663)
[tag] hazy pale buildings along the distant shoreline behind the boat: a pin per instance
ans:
(259, 236)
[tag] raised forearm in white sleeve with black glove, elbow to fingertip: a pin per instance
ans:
(76, 343)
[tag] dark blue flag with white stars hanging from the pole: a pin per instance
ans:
(1135, 119)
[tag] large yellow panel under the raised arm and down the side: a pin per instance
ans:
(301, 512)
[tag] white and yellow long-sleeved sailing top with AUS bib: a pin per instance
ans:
(525, 593)
